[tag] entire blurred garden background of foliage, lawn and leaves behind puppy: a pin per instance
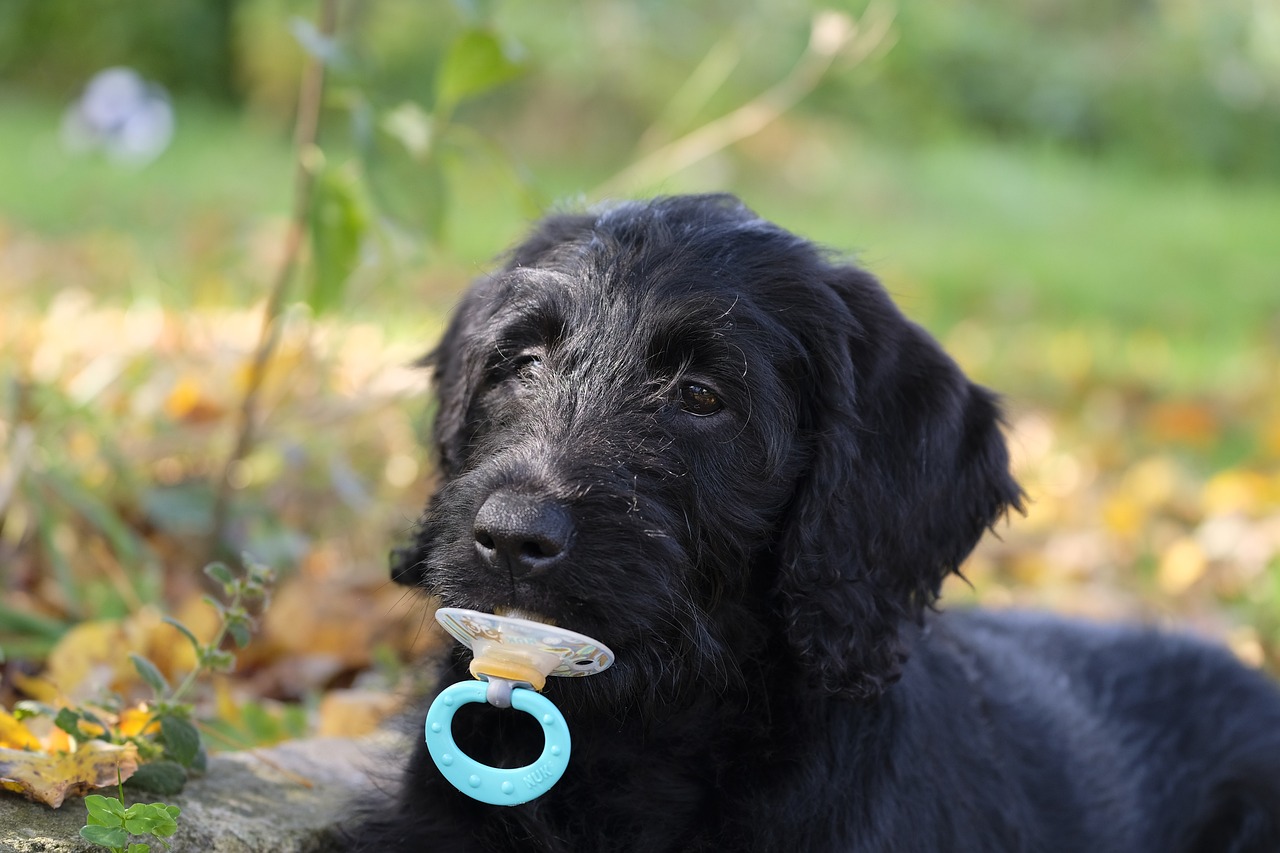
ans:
(1081, 200)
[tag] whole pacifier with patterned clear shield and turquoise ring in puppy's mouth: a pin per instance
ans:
(513, 660)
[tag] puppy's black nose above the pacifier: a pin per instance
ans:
(522, 533)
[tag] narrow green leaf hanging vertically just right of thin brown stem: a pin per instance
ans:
(339, 225)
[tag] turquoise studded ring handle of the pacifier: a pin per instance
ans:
(497, 786)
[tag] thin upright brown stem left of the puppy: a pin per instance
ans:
(305, 134)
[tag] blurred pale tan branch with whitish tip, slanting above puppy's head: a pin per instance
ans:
(833, 35)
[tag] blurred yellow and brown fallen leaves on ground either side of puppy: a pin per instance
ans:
(1144, 503)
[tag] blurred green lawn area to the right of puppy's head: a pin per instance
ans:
(1020, 235)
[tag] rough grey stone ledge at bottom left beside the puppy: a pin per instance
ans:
(253, 802)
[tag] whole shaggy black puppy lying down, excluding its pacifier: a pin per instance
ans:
(689, 434)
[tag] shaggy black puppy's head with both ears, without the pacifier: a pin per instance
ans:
(689, 434)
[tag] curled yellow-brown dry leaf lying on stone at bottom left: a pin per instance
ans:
(51, 778)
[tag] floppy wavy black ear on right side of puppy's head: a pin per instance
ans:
(908, 468)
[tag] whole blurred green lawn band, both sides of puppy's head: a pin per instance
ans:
(1027, 243)
